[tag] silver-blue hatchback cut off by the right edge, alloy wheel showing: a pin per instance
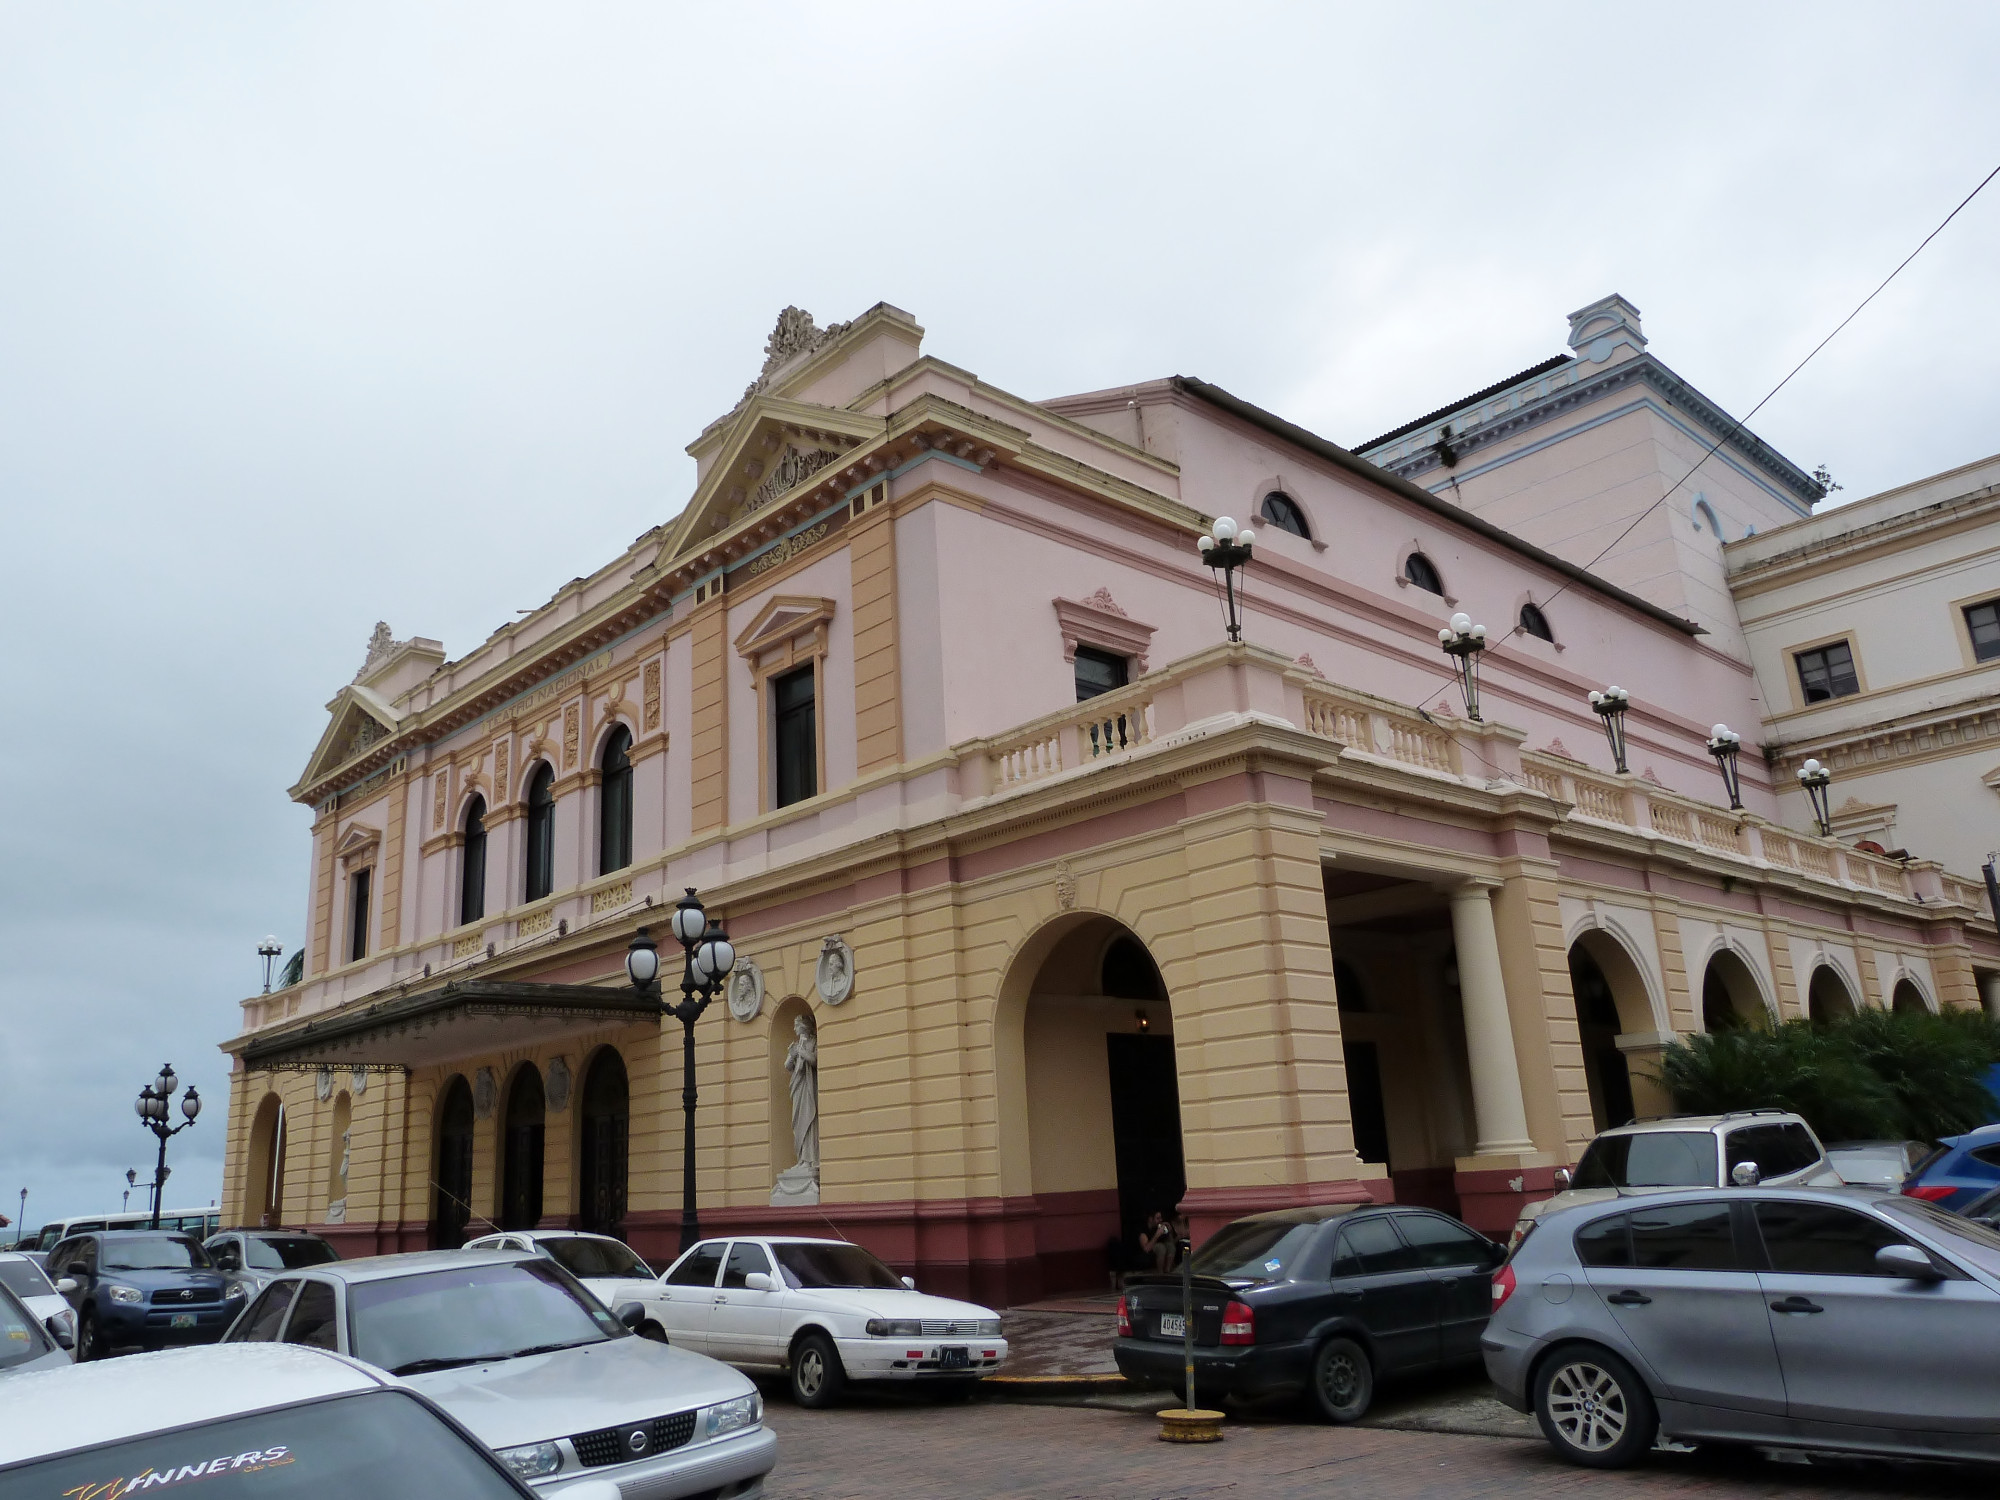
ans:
(1809, 1317)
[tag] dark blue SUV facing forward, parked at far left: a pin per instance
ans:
(141, 1289)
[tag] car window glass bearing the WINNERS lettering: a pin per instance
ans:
(385, 1445)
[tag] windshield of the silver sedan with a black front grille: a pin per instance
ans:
(467, 1315)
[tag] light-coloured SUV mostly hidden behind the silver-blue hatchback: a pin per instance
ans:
(1747, 1149)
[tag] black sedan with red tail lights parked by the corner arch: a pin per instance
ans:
(1315, 1301)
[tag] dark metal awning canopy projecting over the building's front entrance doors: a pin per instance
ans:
(457, 1021)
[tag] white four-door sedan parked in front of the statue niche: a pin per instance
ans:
(825, 1313)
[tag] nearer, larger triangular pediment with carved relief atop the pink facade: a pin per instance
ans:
(769, 451)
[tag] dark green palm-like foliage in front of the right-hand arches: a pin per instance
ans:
(1879, 1075)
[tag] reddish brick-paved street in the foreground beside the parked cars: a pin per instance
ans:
(1057, 1453)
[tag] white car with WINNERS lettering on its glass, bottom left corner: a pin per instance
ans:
(241, 1423)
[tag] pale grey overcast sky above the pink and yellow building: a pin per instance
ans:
(315, 315)
